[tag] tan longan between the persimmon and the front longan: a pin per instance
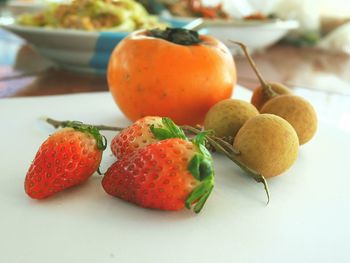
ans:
(226, 117)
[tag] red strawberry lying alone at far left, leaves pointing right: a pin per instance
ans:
(67, 158)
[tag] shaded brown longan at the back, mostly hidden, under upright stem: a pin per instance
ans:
(260, 96)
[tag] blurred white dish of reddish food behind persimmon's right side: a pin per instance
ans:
(231, 20)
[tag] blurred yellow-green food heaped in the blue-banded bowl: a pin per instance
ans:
(118, 15)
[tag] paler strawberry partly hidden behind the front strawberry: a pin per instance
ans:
(140, 134)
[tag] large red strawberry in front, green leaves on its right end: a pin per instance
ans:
(166, 175)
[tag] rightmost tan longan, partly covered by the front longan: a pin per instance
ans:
(297, 111)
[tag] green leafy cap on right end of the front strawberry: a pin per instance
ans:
(201, 167)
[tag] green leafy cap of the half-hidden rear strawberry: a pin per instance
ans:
(168, 130)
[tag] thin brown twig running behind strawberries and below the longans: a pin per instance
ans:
(218, 143)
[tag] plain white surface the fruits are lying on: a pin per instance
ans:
(306, 221)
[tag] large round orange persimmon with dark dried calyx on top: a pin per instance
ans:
(173, 72)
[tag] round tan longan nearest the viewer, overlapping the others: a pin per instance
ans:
(267, 144)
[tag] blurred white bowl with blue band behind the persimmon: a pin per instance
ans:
(78, 50)
